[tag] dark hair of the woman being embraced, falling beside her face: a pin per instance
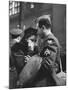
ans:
(27, 33)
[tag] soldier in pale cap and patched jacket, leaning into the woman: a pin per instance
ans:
(49, 49)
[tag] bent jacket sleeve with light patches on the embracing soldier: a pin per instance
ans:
(49, 54)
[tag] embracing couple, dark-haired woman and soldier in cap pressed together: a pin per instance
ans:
(42, 56)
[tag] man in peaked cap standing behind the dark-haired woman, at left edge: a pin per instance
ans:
(14, 37)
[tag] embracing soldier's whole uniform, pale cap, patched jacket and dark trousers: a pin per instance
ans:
(49, 50)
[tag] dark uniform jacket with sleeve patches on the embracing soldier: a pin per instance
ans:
(50, 52)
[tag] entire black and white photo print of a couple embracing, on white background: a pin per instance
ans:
(37, 44)
